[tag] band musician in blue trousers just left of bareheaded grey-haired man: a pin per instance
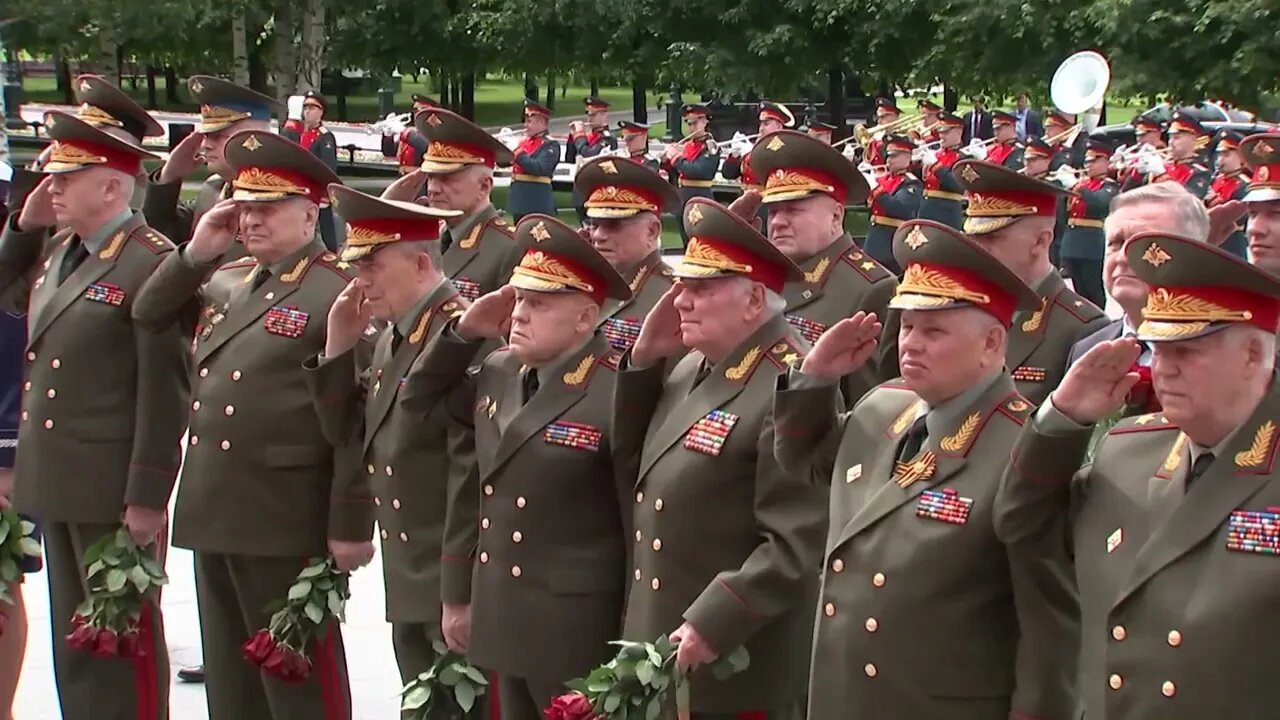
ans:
(1085, 244)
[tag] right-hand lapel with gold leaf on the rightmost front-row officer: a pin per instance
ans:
(1245, 467)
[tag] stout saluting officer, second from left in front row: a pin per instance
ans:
(255, 439)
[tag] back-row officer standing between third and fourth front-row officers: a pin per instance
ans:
(479, 245)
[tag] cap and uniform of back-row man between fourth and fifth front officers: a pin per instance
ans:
(618, 189)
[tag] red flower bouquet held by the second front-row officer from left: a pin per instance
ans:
(317, 598)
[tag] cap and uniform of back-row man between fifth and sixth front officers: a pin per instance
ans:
(840, 280)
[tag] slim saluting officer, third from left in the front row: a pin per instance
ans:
(395, 248)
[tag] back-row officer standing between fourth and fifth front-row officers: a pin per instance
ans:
(625, 203)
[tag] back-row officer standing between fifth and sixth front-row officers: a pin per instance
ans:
(807, 188)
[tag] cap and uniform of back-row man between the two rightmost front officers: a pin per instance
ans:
(1041, 341)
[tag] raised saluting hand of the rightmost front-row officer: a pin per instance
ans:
(1099, 382)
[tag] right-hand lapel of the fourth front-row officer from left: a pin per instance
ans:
(563, 390)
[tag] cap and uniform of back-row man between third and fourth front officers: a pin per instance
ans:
(481, 252)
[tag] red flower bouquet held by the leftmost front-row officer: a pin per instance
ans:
(124, 582)
